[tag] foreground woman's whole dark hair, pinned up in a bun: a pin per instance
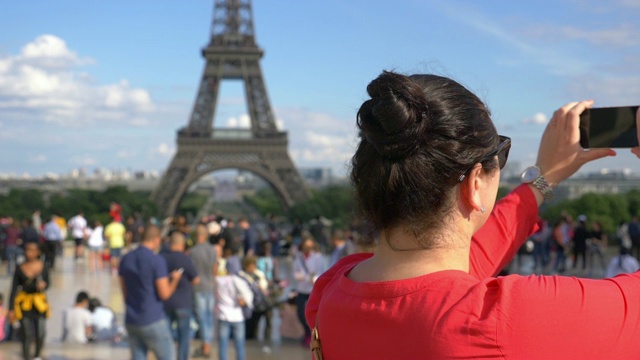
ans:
(418, 134)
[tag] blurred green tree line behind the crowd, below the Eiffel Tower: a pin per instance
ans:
(334, 202)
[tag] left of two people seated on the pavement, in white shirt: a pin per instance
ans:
(76, 321)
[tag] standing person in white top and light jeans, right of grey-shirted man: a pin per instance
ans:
(232, 293)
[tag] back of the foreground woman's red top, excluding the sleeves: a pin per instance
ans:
(423, 317)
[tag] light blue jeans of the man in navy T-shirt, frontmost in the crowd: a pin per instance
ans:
(155, 337)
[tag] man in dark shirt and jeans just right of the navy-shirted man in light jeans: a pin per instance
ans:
(178, 306)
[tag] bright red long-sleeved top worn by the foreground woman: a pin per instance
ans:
(455, 315)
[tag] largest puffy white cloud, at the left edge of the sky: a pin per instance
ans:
(45, 80)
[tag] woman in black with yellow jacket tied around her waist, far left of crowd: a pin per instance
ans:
(28, 301)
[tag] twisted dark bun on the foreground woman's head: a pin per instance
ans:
(394, 116)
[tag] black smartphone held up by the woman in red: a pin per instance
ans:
(610, 127)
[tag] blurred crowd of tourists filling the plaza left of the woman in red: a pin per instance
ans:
(216, 280)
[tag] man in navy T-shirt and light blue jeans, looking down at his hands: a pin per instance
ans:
(145, 284)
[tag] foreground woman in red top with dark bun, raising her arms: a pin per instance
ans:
(426, 175)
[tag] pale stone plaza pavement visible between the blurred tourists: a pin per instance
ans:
(70, 276)
